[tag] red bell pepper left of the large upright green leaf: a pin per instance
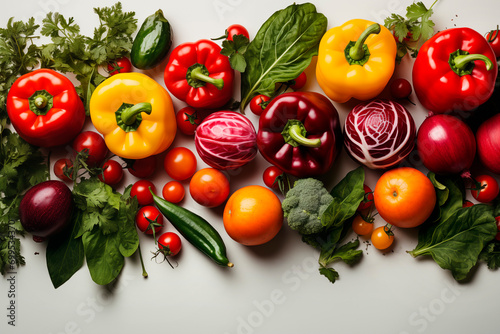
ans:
(199, 75)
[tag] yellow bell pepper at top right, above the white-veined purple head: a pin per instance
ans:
(355, 60)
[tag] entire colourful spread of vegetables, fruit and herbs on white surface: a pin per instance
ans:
(298, 132)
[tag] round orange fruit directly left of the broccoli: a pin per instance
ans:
(253, 215)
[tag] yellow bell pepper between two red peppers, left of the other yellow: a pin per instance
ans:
(135, 115)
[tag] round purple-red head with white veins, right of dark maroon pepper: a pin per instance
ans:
(379, 134)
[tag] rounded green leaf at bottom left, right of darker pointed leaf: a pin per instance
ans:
(104, 259)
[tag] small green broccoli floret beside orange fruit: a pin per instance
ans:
(304, 205)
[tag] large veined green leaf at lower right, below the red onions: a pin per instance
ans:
(455, 243)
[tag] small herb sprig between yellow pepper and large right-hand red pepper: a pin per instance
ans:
(413, 30)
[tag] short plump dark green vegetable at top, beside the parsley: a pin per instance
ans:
(152, 42)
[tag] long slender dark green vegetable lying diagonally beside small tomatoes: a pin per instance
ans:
(195, 229)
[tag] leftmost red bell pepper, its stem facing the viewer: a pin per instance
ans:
(45, 108)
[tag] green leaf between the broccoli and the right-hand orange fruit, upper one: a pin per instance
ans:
(347, 195)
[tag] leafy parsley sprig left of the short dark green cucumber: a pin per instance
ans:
(71, 52)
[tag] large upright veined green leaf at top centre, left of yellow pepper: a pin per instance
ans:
(281, 50)
